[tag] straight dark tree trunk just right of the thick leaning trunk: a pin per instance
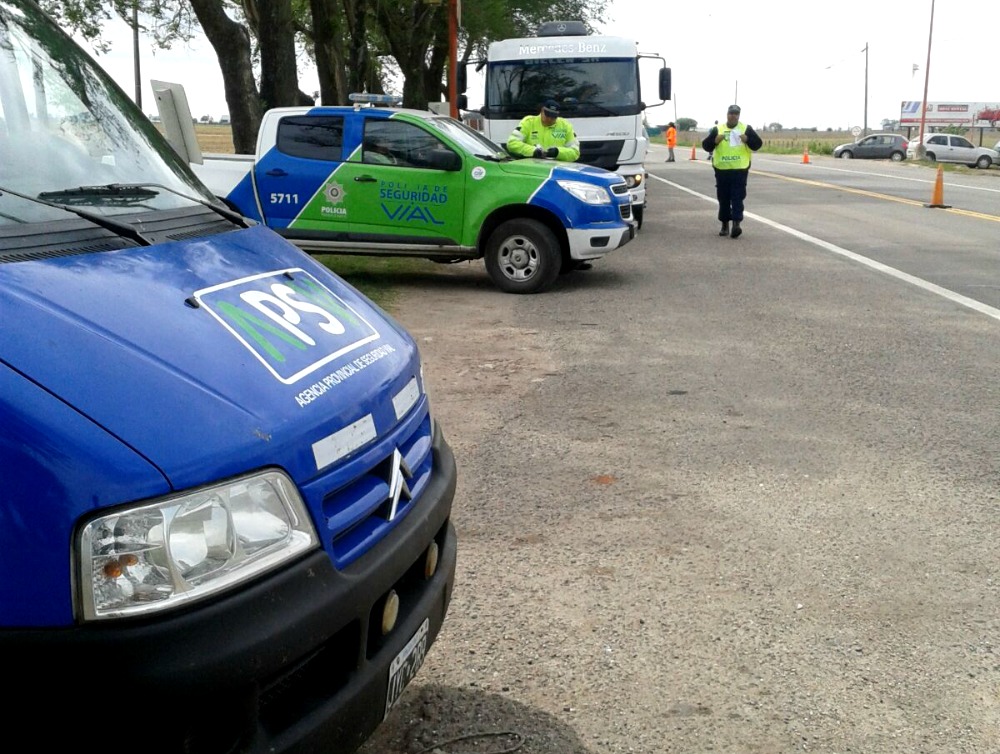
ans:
(279, 84)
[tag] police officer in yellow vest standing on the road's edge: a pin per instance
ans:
(730, 146)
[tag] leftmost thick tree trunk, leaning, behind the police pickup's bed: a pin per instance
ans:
(232, 47)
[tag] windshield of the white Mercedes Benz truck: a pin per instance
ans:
(585, 87)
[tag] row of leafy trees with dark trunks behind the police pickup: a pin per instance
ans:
(357, 45)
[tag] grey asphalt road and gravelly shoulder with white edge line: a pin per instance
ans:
(727, 495)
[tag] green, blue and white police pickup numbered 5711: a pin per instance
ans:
(394, 182)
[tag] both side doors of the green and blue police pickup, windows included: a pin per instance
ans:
(401, 183)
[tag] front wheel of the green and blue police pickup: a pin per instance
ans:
(522, 256)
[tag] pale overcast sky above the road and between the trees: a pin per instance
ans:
(798, 64)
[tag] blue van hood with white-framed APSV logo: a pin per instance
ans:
(208, 357)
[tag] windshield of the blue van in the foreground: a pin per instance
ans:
(65, 124)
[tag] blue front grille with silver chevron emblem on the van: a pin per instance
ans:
(384, 486)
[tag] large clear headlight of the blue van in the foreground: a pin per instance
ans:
(161, 555)
